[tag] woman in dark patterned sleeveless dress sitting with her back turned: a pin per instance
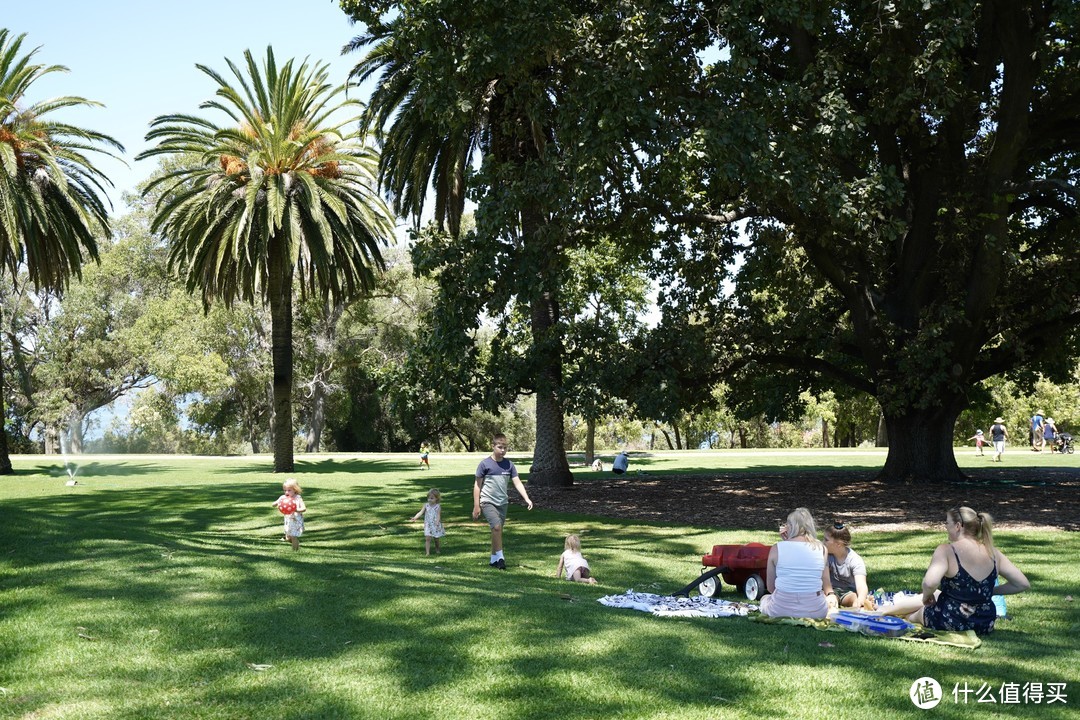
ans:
(962, 580)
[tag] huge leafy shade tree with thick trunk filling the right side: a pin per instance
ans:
(908, 173)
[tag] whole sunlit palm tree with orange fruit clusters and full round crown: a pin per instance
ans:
(281, 196)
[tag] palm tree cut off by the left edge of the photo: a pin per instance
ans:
(51, 194)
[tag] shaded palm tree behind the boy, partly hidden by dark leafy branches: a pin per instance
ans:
(424, 150)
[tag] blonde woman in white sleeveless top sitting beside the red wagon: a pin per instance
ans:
(798, 575)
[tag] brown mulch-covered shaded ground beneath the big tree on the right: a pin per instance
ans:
(1017, 498)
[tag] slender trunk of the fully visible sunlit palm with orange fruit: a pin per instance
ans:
(281, 344)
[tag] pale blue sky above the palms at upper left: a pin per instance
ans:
(139, 59)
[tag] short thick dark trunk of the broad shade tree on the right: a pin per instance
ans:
(921, 447)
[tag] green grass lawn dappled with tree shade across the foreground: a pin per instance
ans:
(159, 588)
